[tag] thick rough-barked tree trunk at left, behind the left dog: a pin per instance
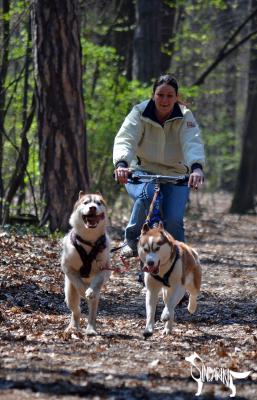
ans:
(60, 108)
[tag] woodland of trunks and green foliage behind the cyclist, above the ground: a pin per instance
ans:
(71, 70)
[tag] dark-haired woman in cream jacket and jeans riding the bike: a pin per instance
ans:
(159, 136)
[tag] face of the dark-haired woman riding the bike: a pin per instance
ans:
(164, 97)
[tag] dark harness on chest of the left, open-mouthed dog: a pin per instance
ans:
(87, 258)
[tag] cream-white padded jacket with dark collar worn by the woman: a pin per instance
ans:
(170, 149)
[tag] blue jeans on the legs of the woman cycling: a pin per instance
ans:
(173, 204)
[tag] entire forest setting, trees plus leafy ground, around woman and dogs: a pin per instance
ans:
(69, 73)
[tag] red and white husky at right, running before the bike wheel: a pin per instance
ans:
(171, 267)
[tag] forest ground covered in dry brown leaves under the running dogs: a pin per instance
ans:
(39, 361)
